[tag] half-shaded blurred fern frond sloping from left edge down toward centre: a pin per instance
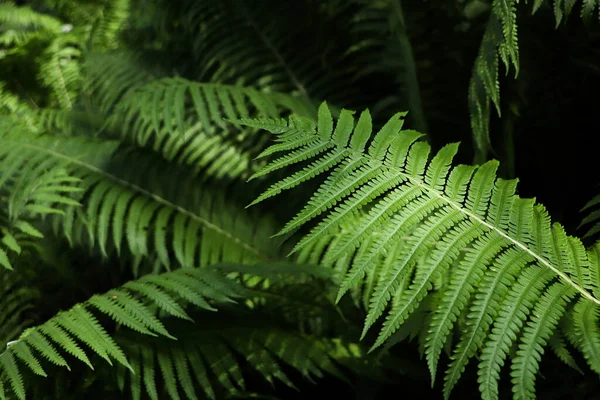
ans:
(144, 209)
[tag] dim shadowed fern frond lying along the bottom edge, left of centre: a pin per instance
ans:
(215, 359)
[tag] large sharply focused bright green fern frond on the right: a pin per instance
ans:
(499, 262)
